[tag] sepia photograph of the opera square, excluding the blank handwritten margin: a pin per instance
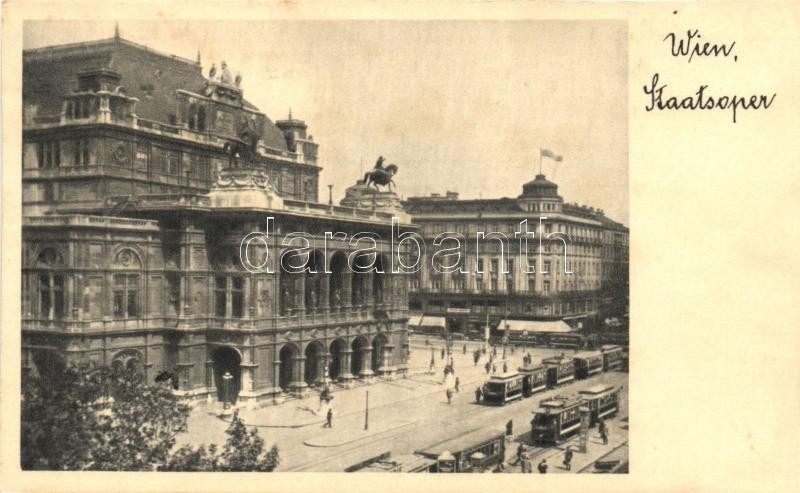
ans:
(325, 246)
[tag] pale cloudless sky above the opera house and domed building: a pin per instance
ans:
(459, 106)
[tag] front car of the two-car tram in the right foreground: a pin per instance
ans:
(556, 419)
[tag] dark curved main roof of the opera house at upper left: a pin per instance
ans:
(152, 77)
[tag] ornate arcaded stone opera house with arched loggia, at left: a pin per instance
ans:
(141, 177)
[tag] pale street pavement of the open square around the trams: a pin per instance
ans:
(405, 415)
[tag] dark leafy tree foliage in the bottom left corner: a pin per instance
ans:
(100, 418)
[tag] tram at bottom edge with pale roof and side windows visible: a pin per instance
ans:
(476, 450)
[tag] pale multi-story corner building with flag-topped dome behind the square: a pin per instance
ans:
(574, 268)
